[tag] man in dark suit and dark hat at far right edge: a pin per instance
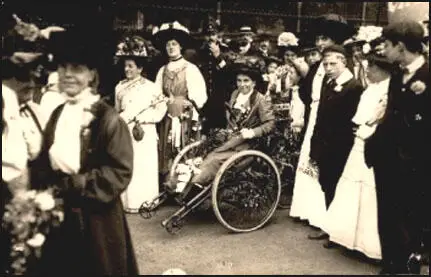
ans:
(400, 151)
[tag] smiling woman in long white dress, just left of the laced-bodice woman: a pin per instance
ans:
(132, 95)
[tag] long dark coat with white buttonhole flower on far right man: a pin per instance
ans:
(400, 153)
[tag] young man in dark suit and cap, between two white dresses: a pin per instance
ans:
(333, 134)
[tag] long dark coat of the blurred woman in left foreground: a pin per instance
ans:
(94, 238)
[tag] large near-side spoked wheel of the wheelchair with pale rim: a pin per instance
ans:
(246, 191)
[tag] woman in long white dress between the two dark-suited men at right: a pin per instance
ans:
(352, 216)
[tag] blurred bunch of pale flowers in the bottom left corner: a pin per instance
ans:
(28, 219)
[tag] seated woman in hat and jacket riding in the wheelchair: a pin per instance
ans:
(249, 113)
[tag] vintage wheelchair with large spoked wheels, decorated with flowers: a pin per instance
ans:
(248, 187)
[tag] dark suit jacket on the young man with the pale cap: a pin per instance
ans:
(333, 133)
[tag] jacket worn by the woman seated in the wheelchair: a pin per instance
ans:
(260, 119)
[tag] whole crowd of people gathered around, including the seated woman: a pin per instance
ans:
(359, 100)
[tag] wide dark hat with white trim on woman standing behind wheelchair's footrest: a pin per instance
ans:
(169, 31)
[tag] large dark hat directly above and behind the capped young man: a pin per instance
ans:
(333, 26)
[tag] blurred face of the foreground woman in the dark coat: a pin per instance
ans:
(73, 78)
